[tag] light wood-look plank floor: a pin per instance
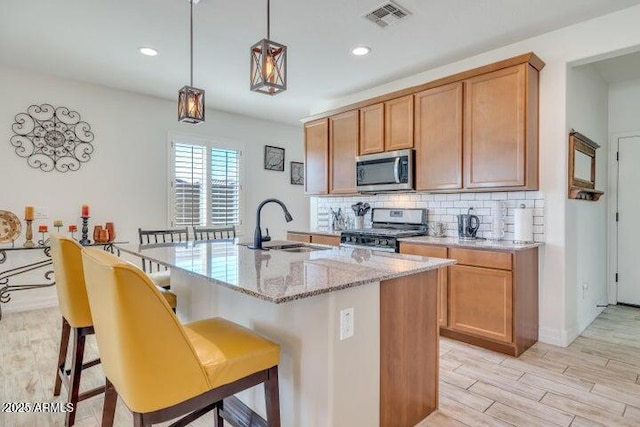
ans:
(593, 382)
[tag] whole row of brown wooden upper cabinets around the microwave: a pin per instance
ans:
(473, 131)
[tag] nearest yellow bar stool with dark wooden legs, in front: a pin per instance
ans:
(160, 368)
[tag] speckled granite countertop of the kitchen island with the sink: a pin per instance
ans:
(279, 276)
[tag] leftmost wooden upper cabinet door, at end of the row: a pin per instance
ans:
(316, 144)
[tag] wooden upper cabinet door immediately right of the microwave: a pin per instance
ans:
(438, 138)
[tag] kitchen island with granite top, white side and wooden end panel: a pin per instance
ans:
(385, 374)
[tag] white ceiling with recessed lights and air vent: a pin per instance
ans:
(96, 41)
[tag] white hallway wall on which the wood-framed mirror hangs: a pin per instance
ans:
(586, 250)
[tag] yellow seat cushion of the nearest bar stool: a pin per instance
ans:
(228, 351)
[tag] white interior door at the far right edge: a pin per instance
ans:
(628, 229)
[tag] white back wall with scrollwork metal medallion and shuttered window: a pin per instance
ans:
(126, 179)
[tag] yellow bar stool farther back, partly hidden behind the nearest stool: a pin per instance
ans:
(66, 255)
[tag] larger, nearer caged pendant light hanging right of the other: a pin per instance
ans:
(268, 64)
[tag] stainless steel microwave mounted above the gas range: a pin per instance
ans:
(388, 171)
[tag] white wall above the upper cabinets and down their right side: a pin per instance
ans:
(589, 40)
